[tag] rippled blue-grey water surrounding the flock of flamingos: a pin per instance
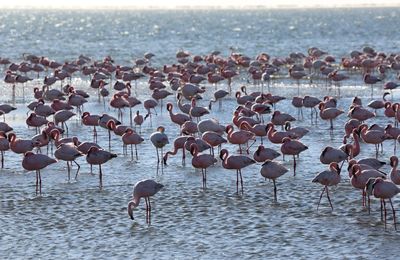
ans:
(76, 220)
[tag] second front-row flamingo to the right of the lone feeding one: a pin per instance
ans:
(237, 162)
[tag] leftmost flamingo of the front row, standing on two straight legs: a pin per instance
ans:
(36, 162)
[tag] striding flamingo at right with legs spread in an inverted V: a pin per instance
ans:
(327, 178)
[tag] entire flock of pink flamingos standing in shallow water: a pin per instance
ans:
(56, 100)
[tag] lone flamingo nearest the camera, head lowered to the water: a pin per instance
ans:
(143, 189)
